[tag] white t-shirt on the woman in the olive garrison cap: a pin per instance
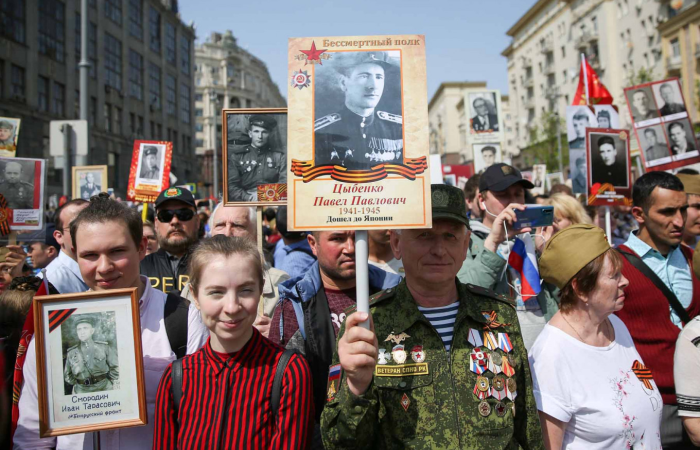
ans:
(595, 391)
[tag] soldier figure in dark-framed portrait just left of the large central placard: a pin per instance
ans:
(255, 164)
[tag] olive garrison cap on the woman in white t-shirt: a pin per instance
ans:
(586, 242)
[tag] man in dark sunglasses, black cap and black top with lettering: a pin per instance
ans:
(177, 229)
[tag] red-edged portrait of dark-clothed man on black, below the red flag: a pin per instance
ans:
(608, 162)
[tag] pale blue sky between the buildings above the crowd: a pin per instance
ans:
(464, 38)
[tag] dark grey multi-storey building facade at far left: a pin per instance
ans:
(141, 80)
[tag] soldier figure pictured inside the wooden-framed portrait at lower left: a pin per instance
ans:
(91, 366)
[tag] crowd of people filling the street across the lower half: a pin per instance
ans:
(245, 348)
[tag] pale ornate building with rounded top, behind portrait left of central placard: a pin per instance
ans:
(226, 76)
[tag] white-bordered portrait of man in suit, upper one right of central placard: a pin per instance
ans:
(484, 115)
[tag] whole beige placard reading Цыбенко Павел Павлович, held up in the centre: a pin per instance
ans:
(358, 133)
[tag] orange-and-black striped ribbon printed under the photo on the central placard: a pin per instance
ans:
(411, 167)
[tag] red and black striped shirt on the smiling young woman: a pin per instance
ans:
(226, 401)
